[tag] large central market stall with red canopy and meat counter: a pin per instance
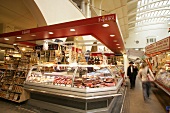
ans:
(68, 87)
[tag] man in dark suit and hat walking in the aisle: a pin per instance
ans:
(131, 74)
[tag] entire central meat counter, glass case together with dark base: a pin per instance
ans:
(76, 83)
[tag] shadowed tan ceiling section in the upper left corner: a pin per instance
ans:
(15, 13)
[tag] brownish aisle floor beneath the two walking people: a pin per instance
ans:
(134, 102)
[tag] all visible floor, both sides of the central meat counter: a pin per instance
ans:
(133, 103)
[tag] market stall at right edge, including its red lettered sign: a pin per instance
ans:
(159, 58)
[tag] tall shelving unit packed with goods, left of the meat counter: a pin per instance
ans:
(14, 74)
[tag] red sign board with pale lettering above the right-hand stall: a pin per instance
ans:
(159, 46)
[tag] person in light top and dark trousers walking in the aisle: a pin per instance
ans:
(143, 75)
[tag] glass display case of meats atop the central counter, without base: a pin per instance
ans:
(83, 78)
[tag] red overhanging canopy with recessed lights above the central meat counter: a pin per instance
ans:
(90, 26)
